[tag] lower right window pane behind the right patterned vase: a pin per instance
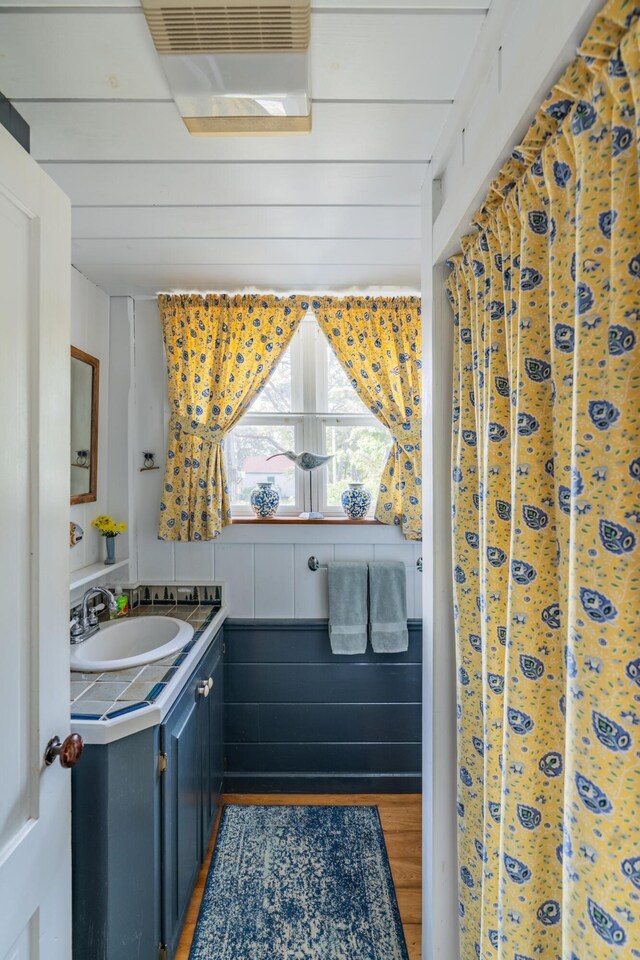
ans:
(360, 456)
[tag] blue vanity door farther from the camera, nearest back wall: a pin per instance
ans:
(212, 743)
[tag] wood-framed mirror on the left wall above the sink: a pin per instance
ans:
(85, 372)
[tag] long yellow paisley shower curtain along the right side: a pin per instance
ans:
(546, 480)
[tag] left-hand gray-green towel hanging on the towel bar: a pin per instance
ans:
(348, 607)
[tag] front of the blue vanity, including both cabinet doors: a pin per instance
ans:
(191, 740)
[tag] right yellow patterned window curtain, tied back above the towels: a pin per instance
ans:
(378, 342)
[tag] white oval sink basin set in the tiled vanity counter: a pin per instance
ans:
(133, 642)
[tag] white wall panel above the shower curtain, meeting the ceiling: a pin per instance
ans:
(523, 50)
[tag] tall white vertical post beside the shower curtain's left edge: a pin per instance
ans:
(440, 874)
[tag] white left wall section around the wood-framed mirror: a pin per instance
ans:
(90, 332)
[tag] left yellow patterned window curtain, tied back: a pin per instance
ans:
(220, 351)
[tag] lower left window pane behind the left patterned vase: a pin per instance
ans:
(246, 451)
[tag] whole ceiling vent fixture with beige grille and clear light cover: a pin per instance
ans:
(235, 67)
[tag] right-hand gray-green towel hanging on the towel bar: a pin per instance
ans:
(388, 606)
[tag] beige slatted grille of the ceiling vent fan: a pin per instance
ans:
(228, 27)
